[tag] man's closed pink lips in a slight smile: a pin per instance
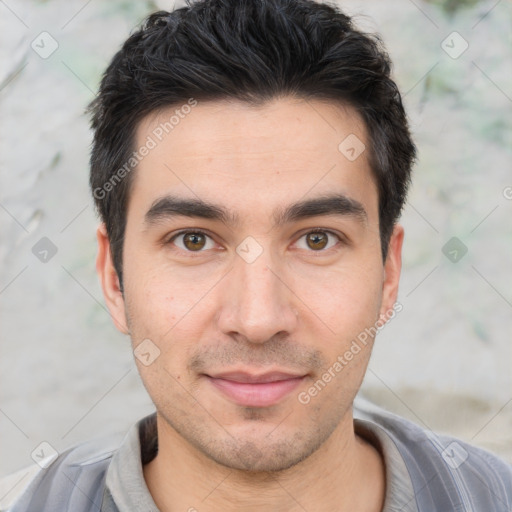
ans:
(253, 390)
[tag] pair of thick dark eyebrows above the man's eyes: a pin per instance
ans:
(334, 204)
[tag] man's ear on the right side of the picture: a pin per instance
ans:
(392, 269)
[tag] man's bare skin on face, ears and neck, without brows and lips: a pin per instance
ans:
(294, 308)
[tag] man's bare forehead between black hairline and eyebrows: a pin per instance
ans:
(244, 155)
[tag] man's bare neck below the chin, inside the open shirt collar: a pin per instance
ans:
(346, 473)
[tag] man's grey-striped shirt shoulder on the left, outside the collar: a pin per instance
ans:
(73, 480)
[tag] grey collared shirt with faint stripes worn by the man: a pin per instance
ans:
(425, 472)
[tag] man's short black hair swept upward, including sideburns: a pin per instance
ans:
(253, 51)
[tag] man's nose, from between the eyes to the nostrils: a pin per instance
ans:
(257, 301)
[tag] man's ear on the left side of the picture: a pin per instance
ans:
(110, 281)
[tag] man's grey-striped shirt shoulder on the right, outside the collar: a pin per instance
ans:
(447, 473)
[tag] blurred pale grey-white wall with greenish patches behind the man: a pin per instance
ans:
(444, 361)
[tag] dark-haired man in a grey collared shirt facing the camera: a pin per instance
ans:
(250, 163)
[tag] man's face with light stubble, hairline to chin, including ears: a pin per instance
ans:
(266, 288)
